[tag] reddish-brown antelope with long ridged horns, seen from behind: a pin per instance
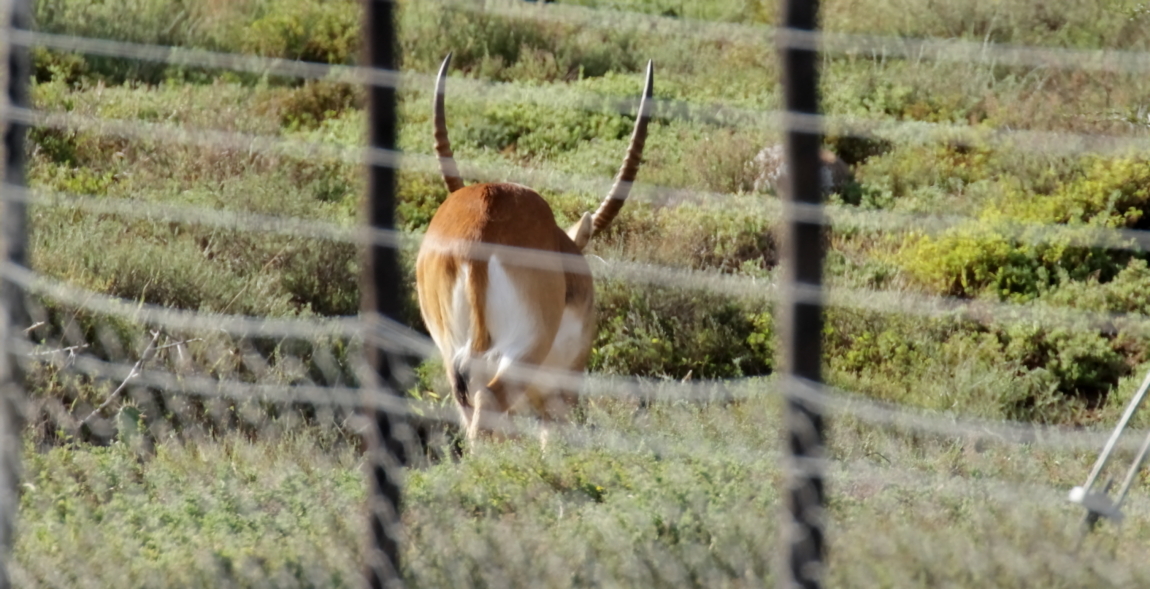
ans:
(507, 294)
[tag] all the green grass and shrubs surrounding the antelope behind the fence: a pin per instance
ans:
(672, 494)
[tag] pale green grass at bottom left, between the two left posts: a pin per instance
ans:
(193, 515)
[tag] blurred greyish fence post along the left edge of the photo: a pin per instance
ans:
(17, 66)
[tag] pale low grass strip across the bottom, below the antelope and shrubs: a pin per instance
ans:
(670, 496)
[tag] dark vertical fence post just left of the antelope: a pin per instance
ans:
(381, 296)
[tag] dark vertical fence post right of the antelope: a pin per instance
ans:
(803, 536)
